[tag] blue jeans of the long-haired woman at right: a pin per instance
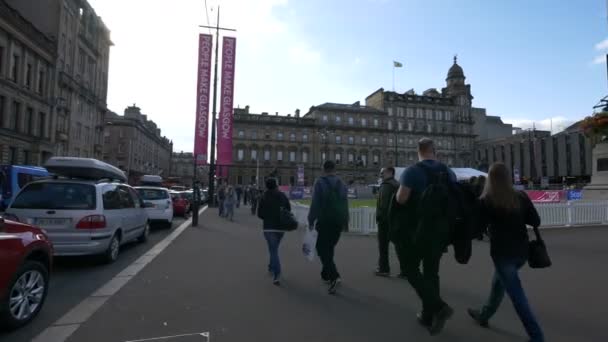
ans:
(506, 278)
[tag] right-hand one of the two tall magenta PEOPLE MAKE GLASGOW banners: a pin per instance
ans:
(225, 122)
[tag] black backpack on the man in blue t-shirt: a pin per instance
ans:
(445, 214)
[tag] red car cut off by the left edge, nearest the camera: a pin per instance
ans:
(25, 266)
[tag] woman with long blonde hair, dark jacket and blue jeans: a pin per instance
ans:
(505, 212)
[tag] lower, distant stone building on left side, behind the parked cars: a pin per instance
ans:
(134, 144)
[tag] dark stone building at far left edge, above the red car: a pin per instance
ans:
(27, 58)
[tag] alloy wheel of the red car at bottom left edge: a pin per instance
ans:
(25, 297)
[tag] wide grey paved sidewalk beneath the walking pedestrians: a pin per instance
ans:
(212, 279)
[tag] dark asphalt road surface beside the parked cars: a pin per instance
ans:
(75, 278)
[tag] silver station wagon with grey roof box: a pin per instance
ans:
(85, 209)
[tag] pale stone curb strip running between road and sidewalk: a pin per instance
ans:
(65, 326)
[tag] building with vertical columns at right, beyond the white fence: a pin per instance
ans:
(533, 154)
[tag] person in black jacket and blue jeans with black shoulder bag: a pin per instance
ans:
(269, 210)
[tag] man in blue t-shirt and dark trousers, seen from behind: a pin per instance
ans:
(428, 232)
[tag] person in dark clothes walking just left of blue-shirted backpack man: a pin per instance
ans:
(387, 191)
